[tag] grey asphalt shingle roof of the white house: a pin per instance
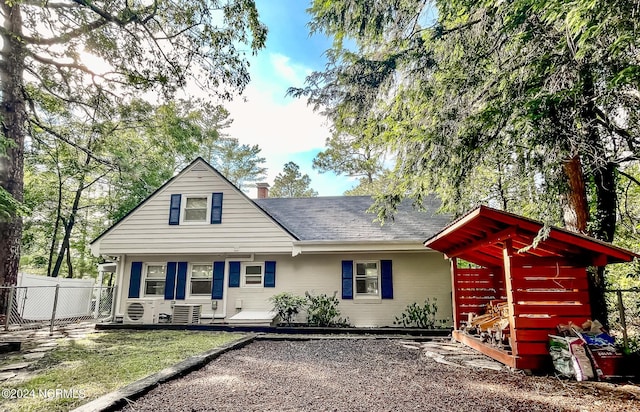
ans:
(345, 218)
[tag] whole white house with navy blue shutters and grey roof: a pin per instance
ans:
(200, 241)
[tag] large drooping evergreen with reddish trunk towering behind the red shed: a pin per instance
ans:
(551, 86)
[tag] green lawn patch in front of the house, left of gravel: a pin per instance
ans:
(104, 361)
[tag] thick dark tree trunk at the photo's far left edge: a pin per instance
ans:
(14, 118)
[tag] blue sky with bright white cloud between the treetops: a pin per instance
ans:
(284, 127)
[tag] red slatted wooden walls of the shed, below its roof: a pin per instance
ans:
(540, 298)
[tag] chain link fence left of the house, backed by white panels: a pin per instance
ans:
(33, 307)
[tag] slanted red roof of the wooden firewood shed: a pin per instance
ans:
(480, 235)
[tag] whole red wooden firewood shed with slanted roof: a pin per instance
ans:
(543, 285)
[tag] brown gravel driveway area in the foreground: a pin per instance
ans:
(367, 375)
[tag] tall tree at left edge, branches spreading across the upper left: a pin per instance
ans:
(144, 46)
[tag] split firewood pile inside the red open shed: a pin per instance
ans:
(492, 326)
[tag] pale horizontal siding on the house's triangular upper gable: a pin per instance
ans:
(245, 228)
